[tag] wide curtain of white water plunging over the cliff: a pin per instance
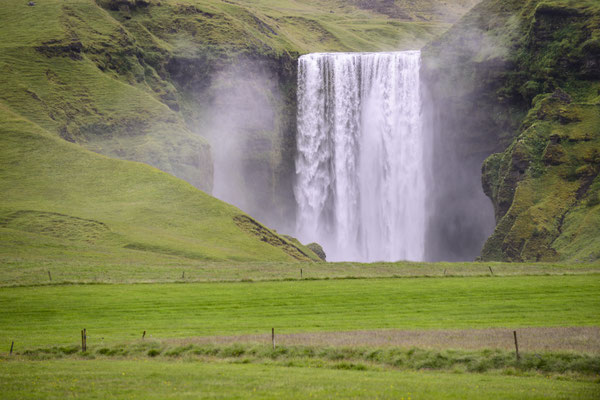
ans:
(360, 185)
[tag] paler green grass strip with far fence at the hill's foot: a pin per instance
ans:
(31, 257)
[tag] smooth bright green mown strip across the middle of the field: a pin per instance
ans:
(54, 315)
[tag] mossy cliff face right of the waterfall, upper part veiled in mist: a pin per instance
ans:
(520, 90)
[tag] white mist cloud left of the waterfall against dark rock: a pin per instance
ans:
(245, 128)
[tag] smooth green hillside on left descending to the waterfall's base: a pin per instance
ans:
(108, 206)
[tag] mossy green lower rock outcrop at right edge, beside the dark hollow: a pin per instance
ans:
(551, 214)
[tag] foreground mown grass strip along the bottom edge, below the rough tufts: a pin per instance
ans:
(185, 380)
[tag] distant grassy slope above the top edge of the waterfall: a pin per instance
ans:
(290, 25)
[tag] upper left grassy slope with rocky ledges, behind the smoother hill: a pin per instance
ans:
(79, 75)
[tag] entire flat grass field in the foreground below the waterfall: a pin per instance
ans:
(430, 337)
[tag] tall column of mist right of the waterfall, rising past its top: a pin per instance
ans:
(463, 125)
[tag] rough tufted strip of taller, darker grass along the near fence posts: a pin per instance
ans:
(352, 358)
